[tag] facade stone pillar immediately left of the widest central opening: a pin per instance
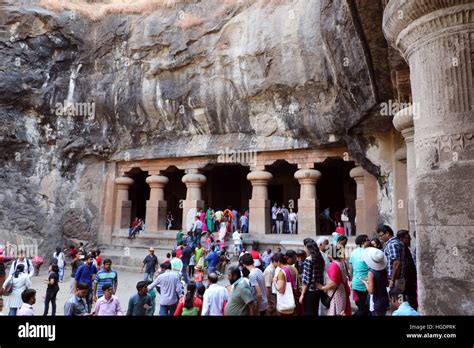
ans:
(193, 201)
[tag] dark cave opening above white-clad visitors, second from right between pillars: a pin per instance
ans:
(283, 189)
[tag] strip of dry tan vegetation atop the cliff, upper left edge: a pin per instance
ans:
(98, 9)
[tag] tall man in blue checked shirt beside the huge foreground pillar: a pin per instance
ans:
(395, 253)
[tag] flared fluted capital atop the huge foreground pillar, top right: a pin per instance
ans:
(409, 24)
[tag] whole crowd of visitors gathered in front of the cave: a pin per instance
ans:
(319, 279)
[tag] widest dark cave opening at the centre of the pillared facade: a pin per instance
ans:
(227, 186)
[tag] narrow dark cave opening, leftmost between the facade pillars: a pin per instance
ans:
(139, 193)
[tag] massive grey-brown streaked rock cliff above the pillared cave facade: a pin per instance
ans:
(184, 80)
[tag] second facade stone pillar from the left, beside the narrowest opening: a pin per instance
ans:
(156, 205)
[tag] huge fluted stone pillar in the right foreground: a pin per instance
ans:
(437, 40)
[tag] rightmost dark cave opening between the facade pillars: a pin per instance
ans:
(335, 190)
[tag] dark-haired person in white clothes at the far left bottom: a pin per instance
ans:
(14, 285)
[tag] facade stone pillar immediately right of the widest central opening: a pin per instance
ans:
(259, 205)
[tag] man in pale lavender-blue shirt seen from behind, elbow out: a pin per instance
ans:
(170, 288)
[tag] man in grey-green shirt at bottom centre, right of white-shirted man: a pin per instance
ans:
(241, 301)
